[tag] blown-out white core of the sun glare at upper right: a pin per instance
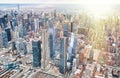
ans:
(98, 8)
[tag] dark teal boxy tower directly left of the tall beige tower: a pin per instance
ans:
(36, 48)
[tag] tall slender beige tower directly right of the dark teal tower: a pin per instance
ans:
(45, 49)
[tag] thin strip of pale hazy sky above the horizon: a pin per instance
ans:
(62, 1)
